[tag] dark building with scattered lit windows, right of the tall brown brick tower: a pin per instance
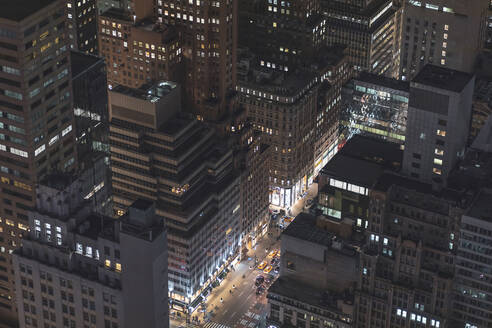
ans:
(291, 32)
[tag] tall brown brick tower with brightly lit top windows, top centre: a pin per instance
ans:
(209, 41)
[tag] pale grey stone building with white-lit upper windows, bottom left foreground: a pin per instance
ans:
(80, 269)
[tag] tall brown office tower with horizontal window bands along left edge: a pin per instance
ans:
(36, 118)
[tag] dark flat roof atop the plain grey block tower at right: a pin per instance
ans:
(443, 78)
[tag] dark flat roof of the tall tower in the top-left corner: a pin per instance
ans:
(18, 10)
